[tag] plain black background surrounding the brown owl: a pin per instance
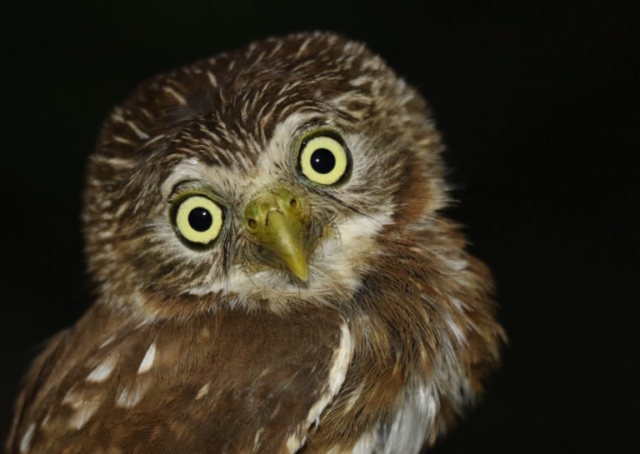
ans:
(534, 99)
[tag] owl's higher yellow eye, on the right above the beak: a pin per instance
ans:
(324, 159)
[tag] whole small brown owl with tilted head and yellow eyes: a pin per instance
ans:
(272, 269)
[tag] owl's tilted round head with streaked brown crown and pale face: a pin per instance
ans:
(275, 178)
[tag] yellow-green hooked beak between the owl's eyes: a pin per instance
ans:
(276, 220)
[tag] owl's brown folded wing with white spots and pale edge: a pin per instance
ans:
(233, 383)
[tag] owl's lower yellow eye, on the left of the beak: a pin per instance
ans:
(197, 219)
